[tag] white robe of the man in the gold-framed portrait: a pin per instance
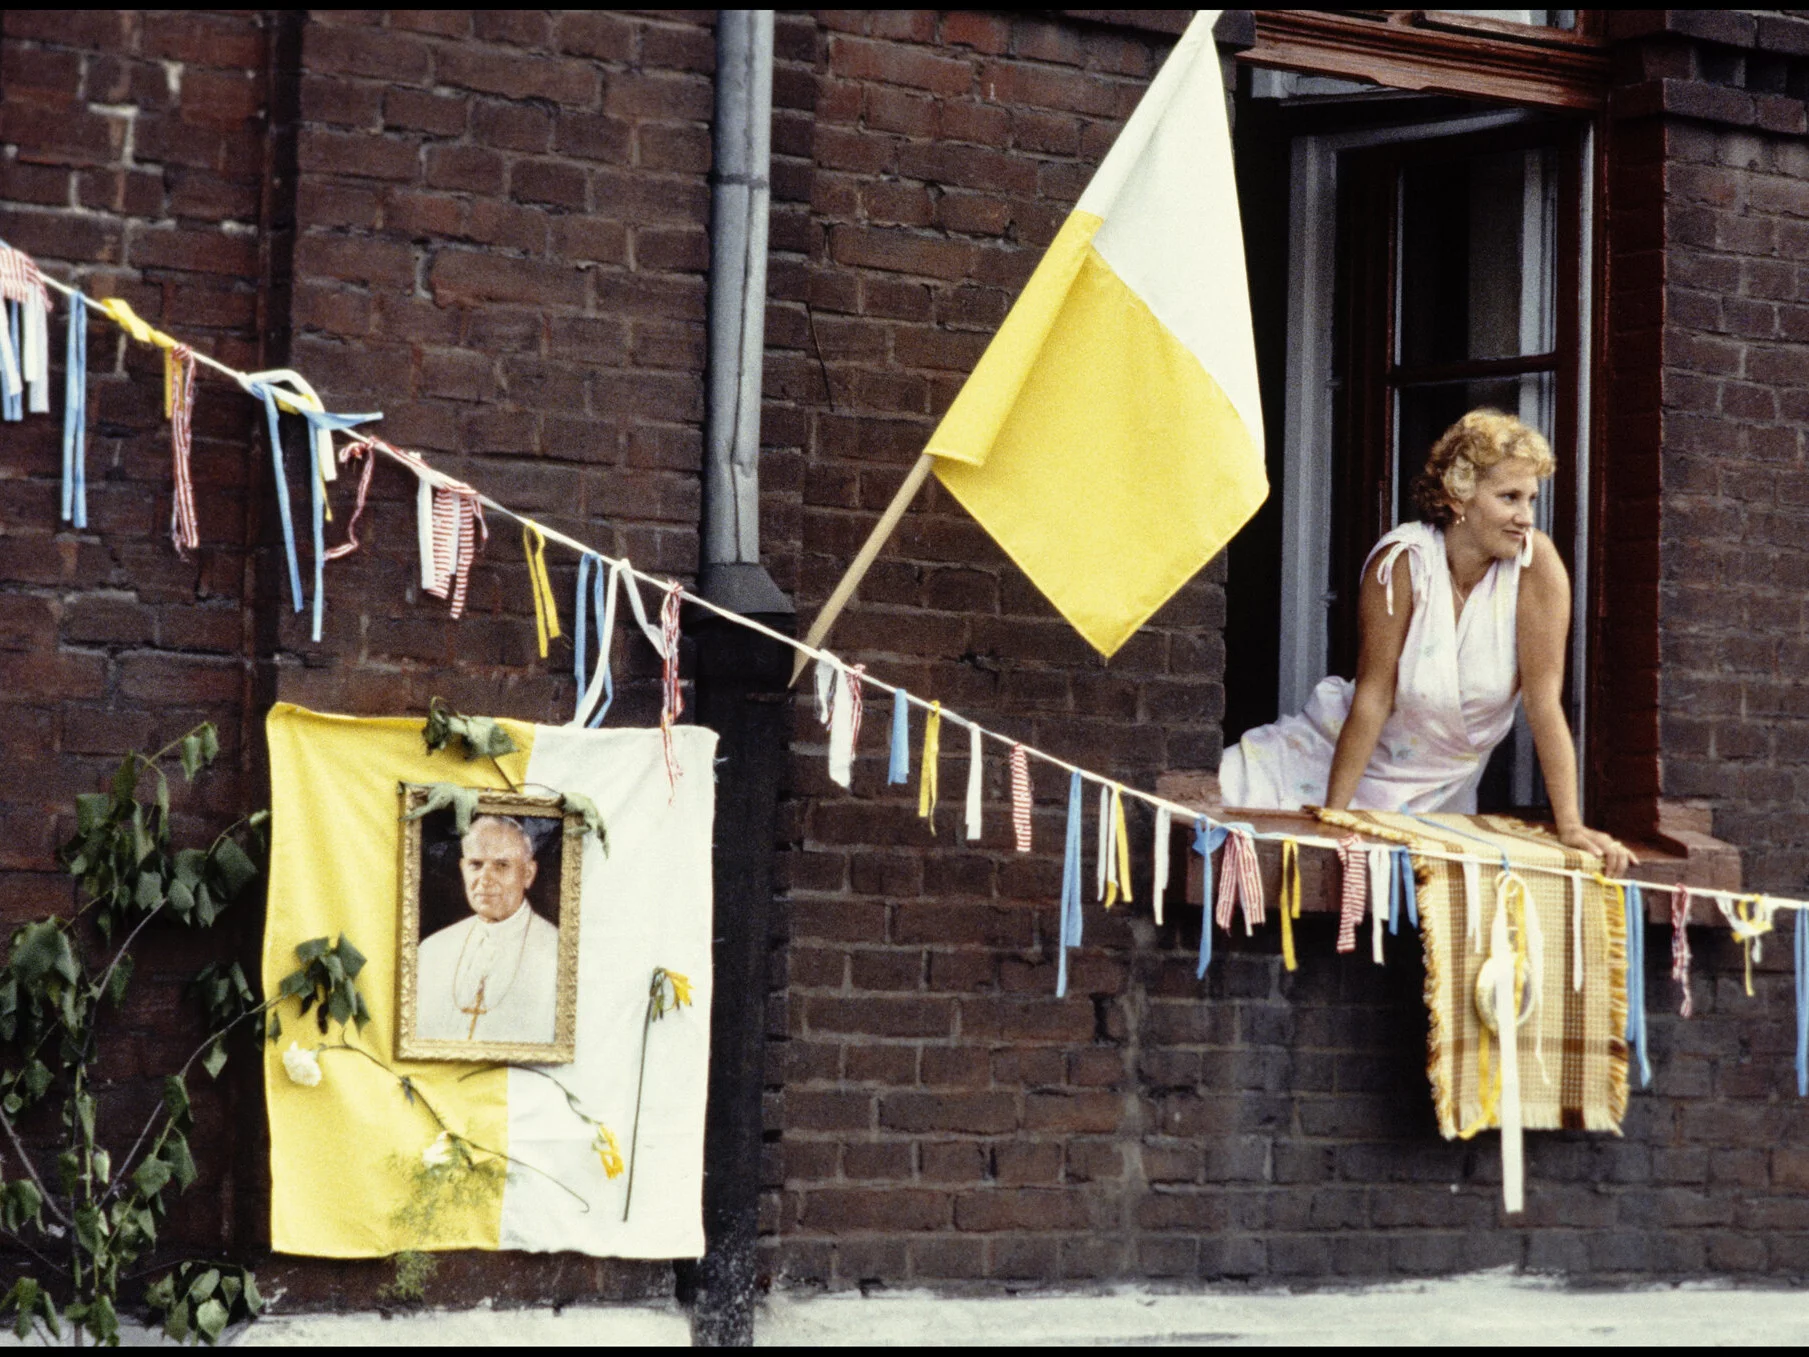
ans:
(489, 982)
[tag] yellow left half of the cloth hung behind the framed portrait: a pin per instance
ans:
(339, 1153)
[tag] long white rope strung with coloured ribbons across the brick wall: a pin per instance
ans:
(819, 654)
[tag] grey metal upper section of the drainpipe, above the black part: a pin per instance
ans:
(739, 314)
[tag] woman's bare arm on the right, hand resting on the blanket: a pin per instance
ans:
(1542, 632)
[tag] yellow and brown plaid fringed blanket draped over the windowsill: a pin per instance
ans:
(1573, 1049)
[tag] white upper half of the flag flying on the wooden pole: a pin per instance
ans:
(1168, 195)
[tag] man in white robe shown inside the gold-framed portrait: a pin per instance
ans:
(493, 974)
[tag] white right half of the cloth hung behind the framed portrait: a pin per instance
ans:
(647, 906)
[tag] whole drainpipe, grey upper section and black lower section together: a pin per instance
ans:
(743, 681)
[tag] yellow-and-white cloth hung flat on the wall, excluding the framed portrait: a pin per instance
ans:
(359, 1168)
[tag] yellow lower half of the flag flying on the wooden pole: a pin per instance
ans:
(1119, 468)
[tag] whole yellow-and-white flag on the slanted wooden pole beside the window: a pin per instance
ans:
(1112, 437)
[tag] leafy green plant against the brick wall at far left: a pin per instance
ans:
(82, 1211)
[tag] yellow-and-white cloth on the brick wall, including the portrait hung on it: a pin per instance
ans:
(374, 1153)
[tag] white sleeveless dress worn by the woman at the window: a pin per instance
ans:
(1455, 699)
